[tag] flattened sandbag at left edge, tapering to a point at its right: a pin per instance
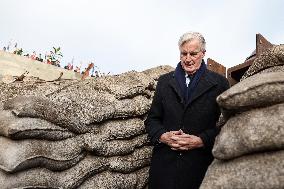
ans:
(27, 128)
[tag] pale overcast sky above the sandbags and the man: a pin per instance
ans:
(124, 35)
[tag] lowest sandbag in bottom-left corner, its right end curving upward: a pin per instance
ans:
(44, 178)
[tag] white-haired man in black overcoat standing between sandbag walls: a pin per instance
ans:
(181, 123)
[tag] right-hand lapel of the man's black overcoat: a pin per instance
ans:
(204, 84)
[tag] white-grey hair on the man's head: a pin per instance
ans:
(190, 36)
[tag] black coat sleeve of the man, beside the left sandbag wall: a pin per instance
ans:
(153, 123)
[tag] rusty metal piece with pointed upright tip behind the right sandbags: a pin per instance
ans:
(235, 73)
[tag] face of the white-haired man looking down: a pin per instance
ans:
(191, 56)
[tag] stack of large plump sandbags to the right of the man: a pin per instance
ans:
(249, 151)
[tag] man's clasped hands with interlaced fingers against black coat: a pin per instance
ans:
(178, 140)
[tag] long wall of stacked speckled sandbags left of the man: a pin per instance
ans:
(76, 134)
